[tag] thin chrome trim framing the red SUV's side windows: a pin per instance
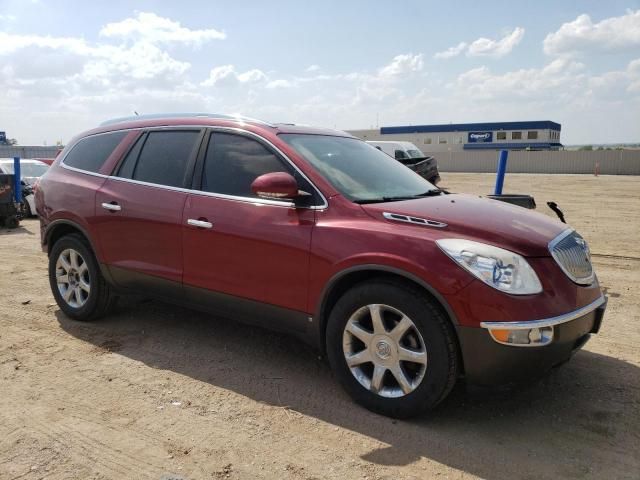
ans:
(213, 129)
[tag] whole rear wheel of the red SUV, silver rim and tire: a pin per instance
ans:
(76, 282)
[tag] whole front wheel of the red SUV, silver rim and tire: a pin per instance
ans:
(392, 348)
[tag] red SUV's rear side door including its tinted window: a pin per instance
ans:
(140, 207)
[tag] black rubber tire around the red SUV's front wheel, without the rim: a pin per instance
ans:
(437, 333)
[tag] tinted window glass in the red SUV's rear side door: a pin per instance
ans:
(164, 157)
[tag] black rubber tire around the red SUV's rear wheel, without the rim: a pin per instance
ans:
(101, 297)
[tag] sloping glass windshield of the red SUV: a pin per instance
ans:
(358, 170)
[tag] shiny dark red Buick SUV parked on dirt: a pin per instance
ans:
(316, 233)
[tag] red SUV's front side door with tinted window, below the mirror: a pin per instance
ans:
(249, 248)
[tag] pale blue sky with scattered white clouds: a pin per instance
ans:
(66, 66)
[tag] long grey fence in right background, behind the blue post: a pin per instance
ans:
(611, 162)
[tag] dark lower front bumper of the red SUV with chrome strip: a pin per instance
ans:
(487, 362)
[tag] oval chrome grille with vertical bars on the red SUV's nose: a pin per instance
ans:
(571, 252)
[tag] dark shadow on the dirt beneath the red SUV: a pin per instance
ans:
(580, 421)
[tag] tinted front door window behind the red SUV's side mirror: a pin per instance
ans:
(233, 162)
